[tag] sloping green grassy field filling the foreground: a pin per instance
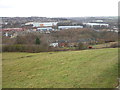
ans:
(70, 69)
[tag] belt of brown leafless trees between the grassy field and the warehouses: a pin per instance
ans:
(37, 42)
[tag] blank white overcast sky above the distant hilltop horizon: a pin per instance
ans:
(58, 8)
